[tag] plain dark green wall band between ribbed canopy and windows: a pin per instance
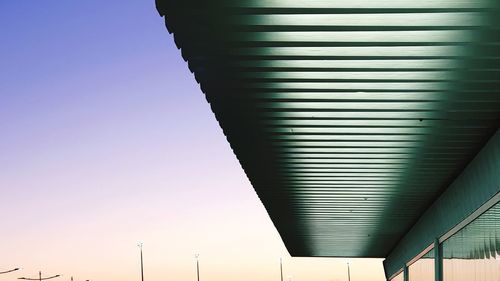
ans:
(475, 186)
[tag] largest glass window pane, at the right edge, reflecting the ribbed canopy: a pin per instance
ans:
(473, 253)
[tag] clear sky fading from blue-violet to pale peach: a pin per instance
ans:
(106, 140)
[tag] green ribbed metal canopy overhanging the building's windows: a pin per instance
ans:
(349, 117)
